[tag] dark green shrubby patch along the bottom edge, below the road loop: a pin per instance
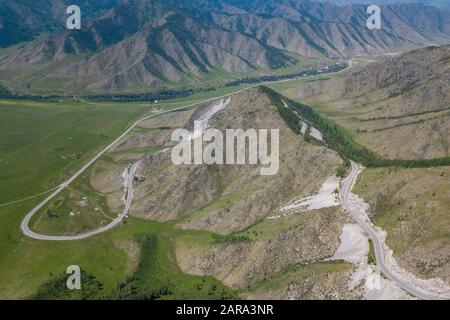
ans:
(157, 276)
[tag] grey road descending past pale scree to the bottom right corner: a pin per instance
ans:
(377, 242)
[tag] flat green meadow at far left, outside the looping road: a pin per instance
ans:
(42, 144)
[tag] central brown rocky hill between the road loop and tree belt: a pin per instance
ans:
(214, 197)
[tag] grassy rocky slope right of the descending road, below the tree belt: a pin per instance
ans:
(412, 206)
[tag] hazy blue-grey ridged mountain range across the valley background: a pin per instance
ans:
(137, 45)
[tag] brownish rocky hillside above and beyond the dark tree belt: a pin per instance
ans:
(398, 107)
